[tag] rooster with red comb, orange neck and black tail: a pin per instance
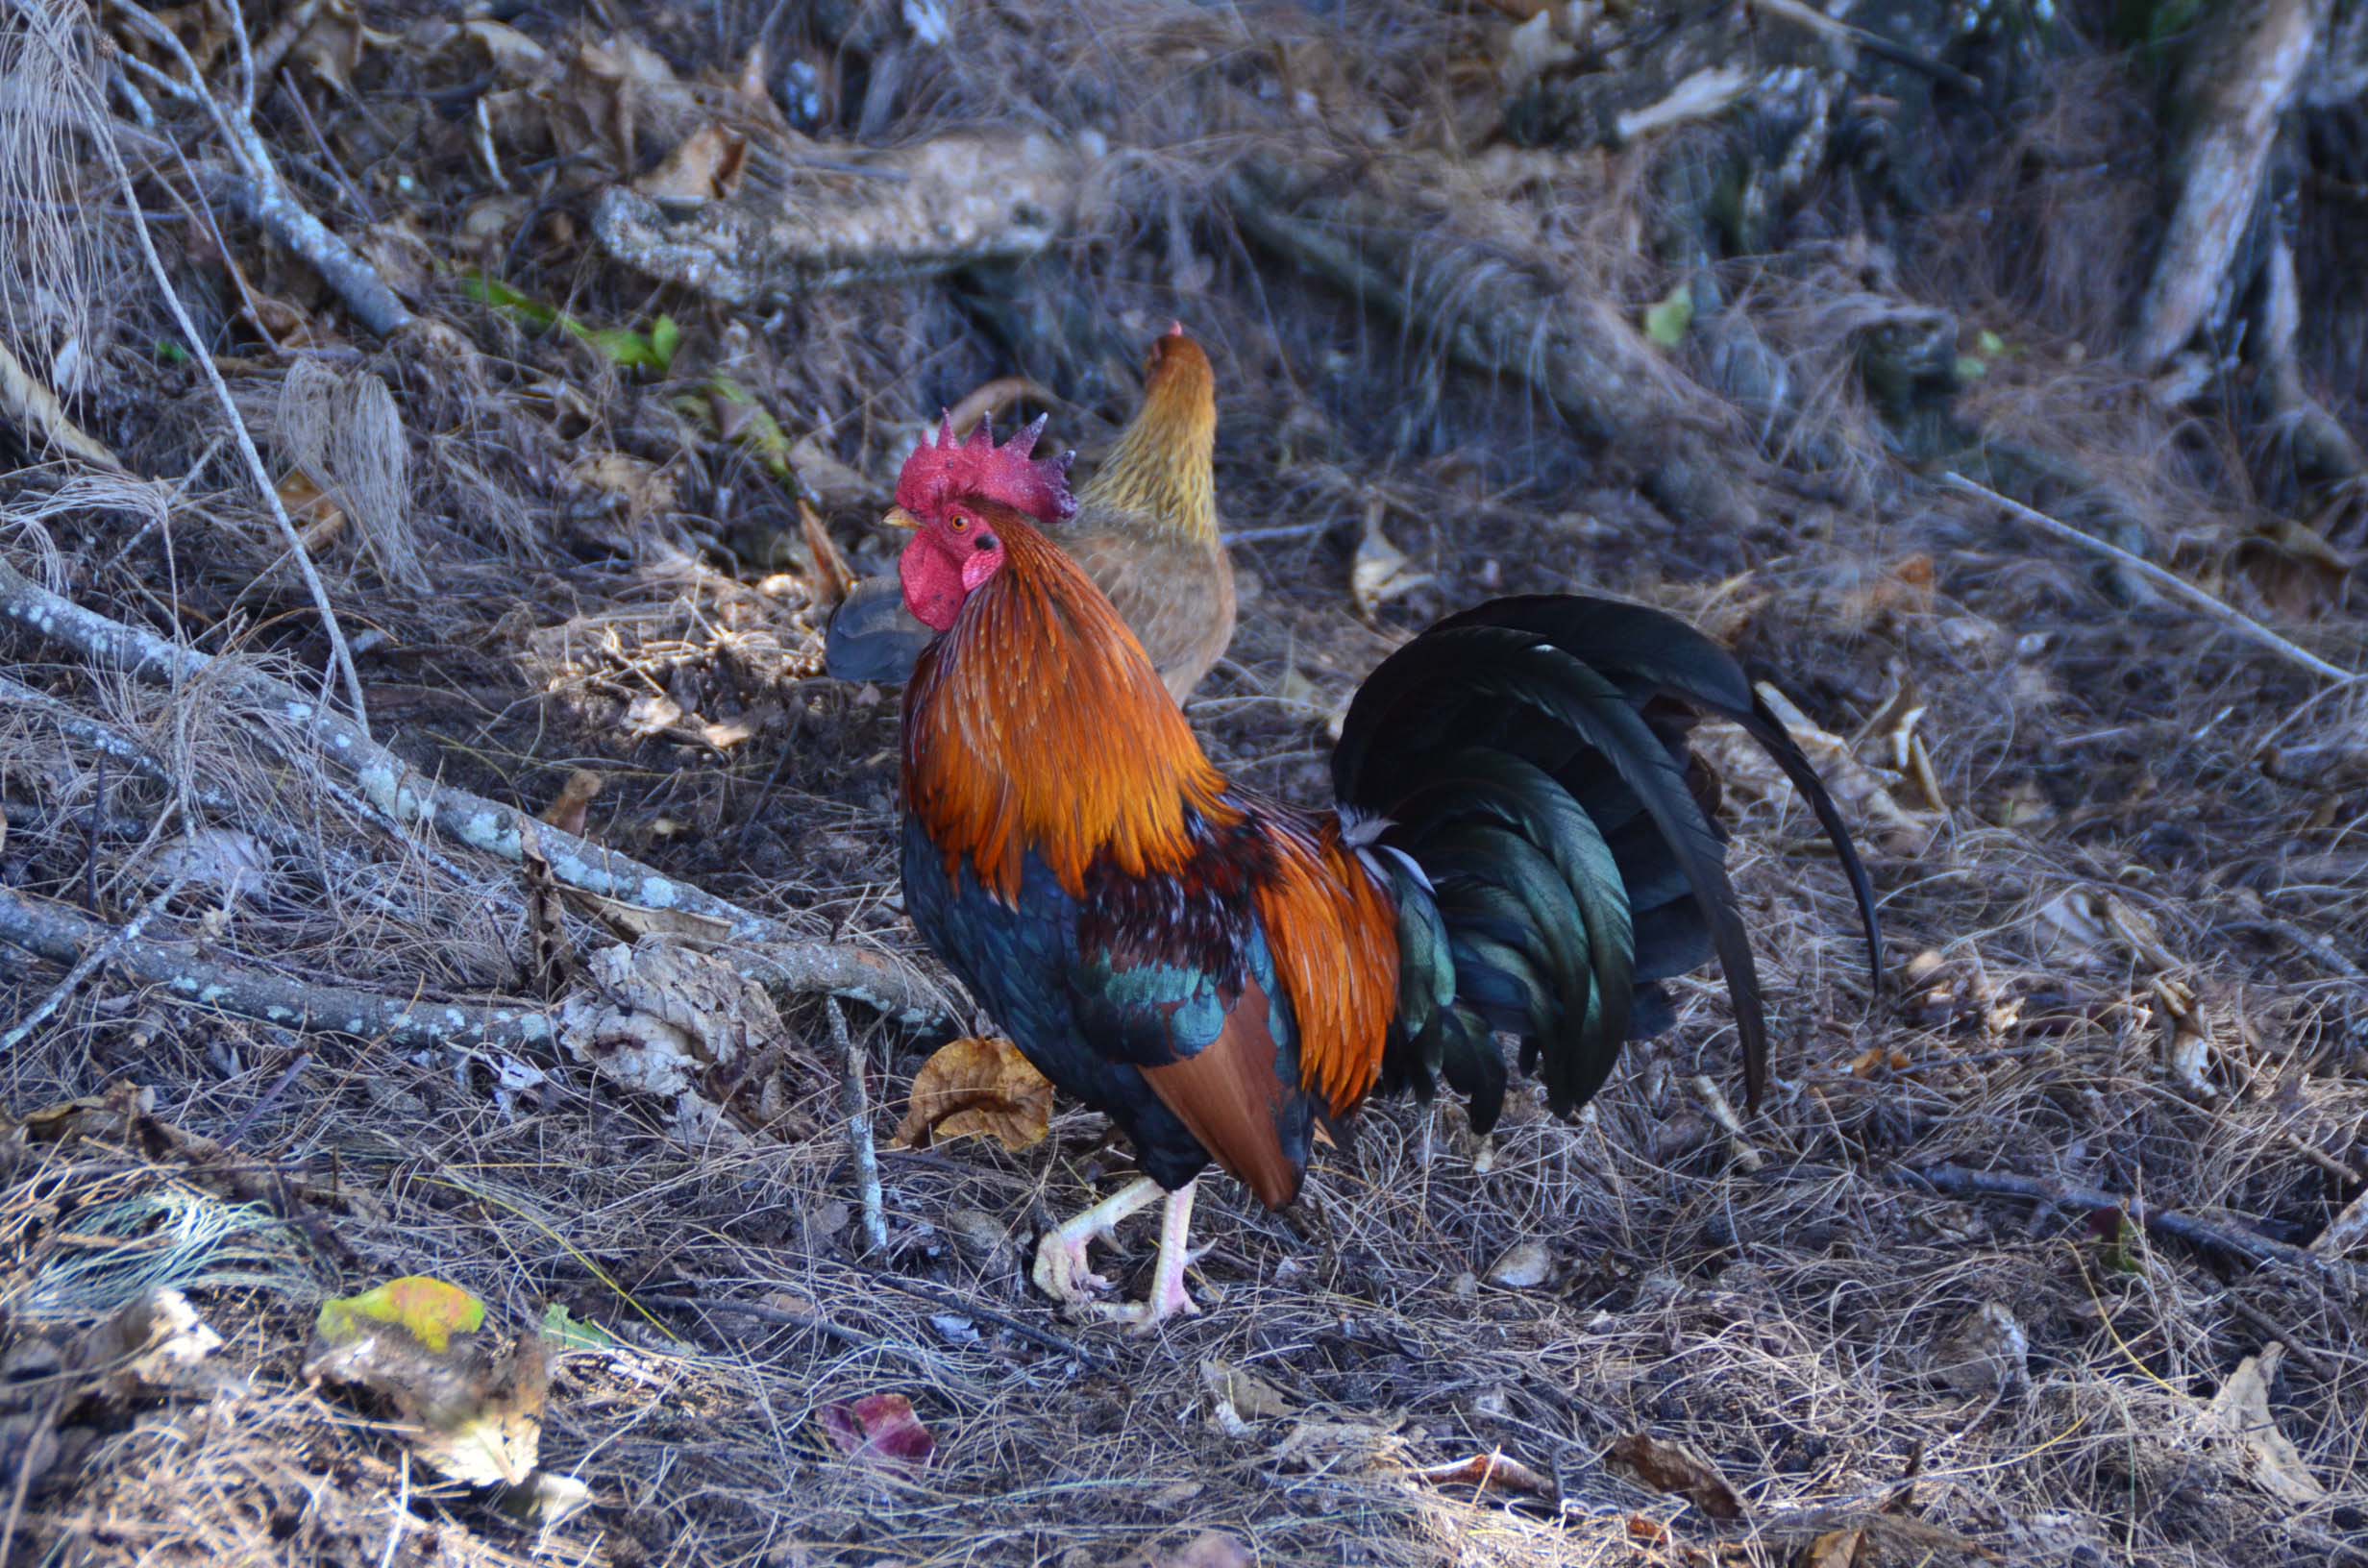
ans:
(1519, 844)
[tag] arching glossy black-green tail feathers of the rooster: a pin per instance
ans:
(1559, 849)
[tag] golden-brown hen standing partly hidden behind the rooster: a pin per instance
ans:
(1145, 532)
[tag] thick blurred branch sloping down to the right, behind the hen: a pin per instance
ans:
(1505, 323)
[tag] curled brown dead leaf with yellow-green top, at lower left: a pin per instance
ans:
(420, 1347)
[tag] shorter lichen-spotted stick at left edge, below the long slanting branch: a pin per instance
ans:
(65, 937)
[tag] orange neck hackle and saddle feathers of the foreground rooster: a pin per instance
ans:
(1038, 726)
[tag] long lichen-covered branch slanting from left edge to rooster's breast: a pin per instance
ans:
(764, 949)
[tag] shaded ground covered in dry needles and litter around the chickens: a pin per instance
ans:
(2047, 1247)
